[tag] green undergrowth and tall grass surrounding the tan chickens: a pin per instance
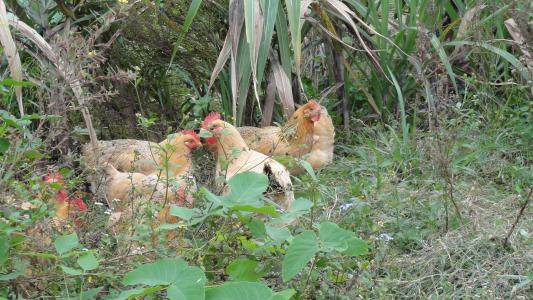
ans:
(427, 197)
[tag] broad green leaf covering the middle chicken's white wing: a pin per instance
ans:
(246, 188)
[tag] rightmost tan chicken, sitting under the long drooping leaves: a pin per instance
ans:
(309, 135)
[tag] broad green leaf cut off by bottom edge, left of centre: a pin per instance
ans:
(239, 290)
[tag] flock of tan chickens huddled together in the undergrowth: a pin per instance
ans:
(129, 171)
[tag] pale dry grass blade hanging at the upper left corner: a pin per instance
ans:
(10, 50)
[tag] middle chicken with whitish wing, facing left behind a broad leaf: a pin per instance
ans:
(231, 149)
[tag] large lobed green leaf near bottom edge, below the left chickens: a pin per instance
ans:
(184, 279)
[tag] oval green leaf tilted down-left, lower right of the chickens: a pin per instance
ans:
(302, 249)
